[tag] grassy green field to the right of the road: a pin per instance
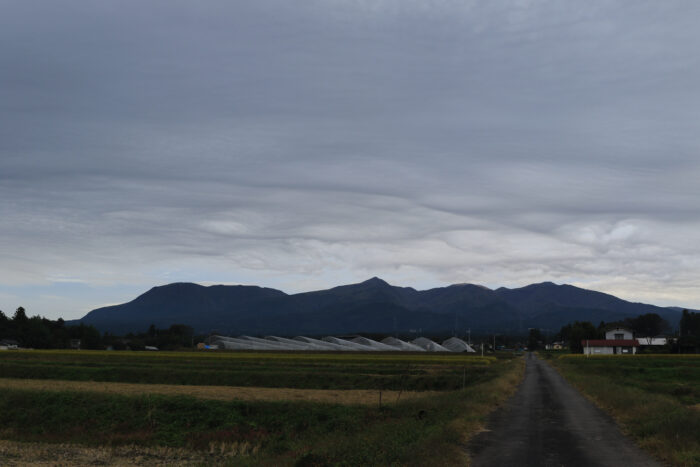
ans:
(655, 398)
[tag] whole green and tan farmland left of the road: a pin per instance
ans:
(148, 408)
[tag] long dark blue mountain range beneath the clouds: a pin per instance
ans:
(371, 306)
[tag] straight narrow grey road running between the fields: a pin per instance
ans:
(549, 423)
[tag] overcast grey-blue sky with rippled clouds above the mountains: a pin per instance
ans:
(302, 145)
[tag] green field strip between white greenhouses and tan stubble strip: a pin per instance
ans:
(421, 372)
